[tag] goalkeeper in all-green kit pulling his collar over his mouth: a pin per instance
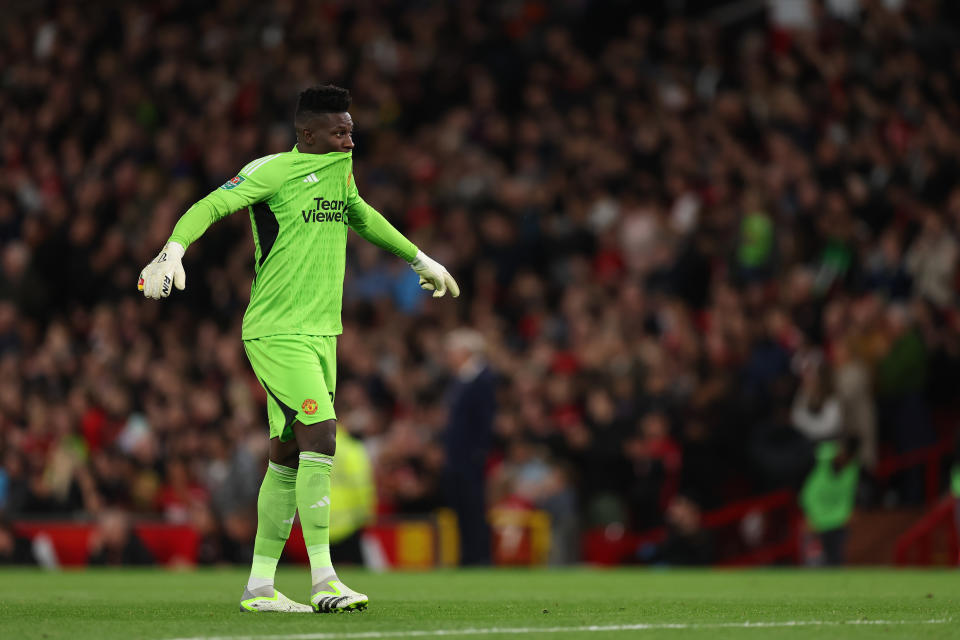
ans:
(301, 204)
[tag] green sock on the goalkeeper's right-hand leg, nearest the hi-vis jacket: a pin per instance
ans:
(313, 501)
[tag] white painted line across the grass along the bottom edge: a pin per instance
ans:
(429, 633)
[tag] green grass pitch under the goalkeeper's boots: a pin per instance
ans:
(120, 603)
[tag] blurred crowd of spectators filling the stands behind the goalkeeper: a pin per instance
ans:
(696, 245)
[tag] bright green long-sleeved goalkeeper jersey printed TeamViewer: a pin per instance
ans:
(301, 205)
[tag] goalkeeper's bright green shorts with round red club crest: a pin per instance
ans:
(299, 374)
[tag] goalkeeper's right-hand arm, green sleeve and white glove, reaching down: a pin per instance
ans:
(373, 227)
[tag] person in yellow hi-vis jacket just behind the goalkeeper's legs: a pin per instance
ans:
(352, 498)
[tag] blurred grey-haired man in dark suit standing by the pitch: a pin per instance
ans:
(467, 440)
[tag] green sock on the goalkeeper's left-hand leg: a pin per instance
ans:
(276, 508)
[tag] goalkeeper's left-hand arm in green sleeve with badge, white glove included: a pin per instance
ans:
(255, 183)
